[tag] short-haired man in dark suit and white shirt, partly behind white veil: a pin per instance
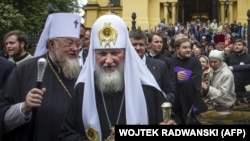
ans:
(157, 67)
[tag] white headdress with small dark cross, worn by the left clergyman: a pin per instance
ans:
(58, 25)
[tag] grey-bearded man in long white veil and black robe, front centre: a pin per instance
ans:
(114, 87)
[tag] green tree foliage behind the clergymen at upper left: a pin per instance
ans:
(29, 15)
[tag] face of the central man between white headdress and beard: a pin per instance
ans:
(110, 59)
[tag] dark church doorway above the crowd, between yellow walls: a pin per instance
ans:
(197, 9)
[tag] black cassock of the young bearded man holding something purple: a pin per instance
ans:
(188, 91)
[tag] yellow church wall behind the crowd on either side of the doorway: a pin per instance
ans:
(150, 12)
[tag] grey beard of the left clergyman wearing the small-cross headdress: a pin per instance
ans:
(70, 67)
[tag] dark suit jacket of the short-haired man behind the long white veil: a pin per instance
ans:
(160, 71)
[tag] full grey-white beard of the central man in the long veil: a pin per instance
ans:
(109, 81)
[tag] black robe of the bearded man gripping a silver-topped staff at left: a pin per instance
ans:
(45, 124)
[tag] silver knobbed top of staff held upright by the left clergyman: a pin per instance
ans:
(41, 65)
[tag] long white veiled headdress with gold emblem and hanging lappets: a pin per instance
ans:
(135, 73)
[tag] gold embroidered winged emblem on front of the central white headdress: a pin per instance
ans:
(107, 34)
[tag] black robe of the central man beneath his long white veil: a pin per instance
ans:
(73, 129)
